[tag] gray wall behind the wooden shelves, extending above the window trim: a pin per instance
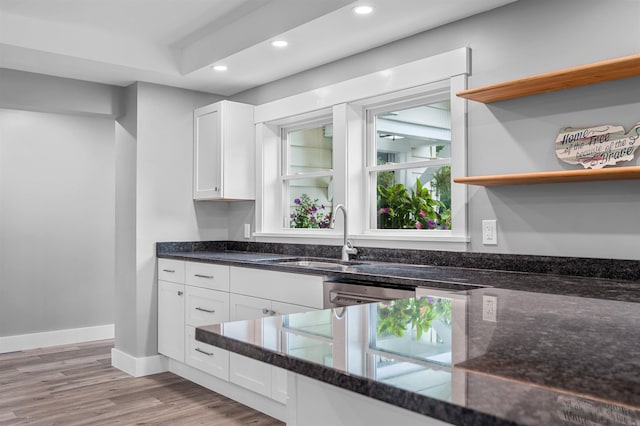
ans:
(524, 38)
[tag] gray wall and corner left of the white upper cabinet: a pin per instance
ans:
(154, 203)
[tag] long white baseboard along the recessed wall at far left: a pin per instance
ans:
(23, 342)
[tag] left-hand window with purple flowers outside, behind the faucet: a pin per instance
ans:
(307, 175)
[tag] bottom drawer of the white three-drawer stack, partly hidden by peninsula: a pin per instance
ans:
(207, 358)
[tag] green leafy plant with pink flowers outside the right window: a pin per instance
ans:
(399, 208)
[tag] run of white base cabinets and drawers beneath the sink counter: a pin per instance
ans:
(192, 294)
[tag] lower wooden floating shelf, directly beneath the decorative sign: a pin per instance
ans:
(564, 176)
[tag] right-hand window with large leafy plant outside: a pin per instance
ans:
(409, 164)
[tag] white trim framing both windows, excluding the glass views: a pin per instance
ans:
(452, 67)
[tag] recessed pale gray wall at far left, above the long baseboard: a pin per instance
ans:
(56, 222)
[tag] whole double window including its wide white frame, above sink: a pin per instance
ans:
(353, 142)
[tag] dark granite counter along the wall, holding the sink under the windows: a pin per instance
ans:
(411, 275)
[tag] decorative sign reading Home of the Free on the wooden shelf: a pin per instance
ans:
(596, 147)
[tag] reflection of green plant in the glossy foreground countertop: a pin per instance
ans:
(398, 316)
